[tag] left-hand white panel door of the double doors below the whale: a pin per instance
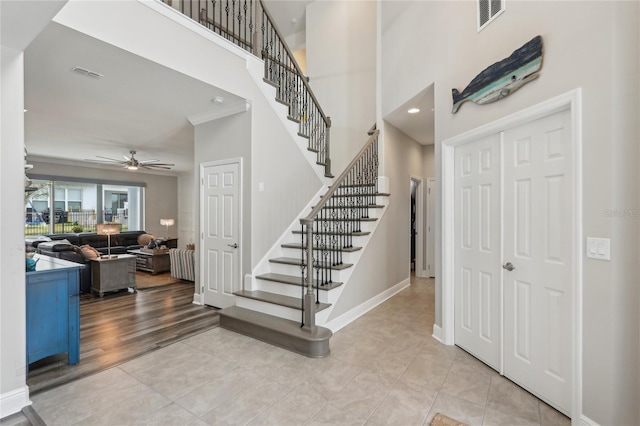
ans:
(477, 249)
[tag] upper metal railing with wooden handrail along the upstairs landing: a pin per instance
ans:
(249, 24)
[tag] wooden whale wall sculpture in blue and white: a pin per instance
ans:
(503, 78)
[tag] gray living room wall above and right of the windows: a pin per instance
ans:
(161, 191)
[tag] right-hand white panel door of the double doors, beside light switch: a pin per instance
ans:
(538, 214)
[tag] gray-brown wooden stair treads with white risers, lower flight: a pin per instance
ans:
(272, 311)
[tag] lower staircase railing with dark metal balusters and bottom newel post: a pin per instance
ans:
(327, 232)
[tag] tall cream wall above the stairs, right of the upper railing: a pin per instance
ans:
(341, 65)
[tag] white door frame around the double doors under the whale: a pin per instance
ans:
(571, 100)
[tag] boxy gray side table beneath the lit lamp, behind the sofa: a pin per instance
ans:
(112, 274)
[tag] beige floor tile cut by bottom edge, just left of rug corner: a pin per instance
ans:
(405, 404)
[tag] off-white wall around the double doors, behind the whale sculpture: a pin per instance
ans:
(597, 52)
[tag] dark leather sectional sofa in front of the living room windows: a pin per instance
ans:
(68, 247)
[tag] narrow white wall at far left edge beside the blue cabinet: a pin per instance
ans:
(13, 391)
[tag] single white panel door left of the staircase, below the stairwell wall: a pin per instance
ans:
(220, 227)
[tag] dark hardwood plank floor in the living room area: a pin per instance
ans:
(121, 326)
